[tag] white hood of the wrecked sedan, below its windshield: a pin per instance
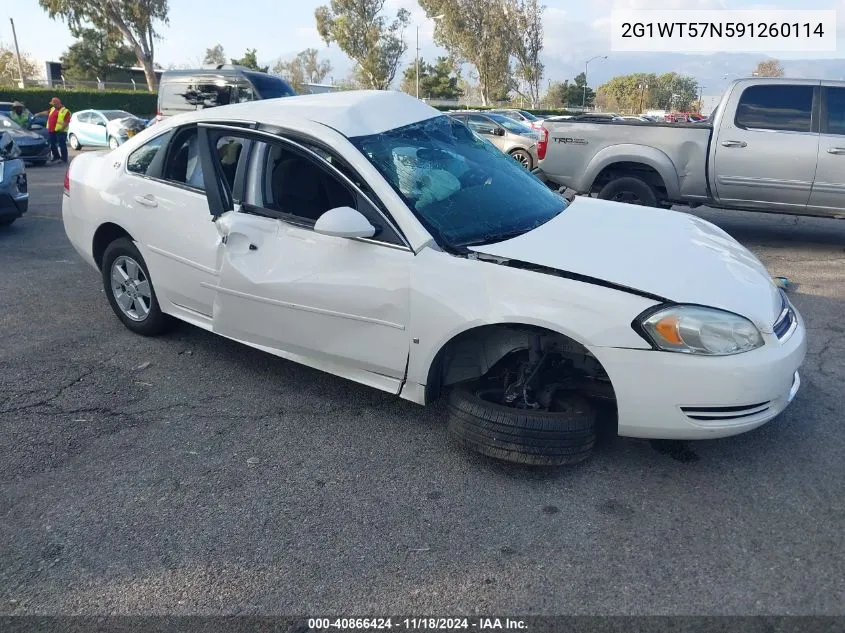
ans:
(669, 254)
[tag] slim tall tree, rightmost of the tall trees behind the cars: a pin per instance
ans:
(527, 46)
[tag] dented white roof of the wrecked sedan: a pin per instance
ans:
(352, 113)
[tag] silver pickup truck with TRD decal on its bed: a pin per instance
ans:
(771, 145)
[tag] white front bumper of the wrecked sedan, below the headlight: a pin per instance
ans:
(665, 395)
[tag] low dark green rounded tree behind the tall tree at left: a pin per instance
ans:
(95, 55)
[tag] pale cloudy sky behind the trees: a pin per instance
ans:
(574, 32)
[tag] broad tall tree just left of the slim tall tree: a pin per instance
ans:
(478, 32)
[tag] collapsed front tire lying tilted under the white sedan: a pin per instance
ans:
(523, 436)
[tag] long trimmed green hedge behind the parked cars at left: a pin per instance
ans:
(141, 102)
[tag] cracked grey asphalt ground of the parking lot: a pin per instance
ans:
(190, 474)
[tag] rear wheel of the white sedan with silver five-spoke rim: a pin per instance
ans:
(130, 292)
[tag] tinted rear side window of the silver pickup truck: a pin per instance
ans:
(776, 107)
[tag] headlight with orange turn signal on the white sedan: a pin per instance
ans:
(699, 330)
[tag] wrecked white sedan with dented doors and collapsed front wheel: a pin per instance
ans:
(370, 236)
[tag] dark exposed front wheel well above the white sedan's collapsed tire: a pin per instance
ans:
(474, 353)
